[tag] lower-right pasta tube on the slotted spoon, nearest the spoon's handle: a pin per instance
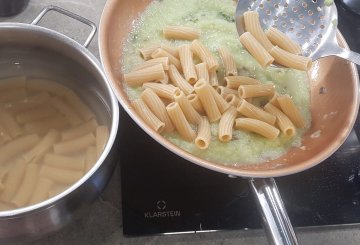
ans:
(291, 60)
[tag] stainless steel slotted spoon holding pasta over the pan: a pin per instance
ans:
(311, 23)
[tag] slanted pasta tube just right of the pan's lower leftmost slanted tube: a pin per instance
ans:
(155, 104)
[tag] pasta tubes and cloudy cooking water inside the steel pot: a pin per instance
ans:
(44, 146)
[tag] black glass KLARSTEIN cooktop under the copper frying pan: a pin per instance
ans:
(163, 193)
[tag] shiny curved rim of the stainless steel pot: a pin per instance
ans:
(114, 113)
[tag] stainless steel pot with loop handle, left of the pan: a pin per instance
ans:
(36, 51)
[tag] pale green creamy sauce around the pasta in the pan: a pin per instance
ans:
(215, 19)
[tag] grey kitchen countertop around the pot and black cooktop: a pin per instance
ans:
(103, 223)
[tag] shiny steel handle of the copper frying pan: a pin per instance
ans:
(276, 222)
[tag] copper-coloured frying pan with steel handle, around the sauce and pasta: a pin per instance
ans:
(333, 114)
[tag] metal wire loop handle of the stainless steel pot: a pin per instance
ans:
(71, 15)
